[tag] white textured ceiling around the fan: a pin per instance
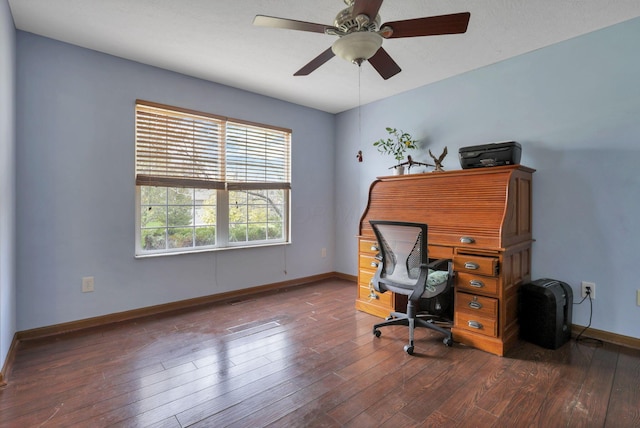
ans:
(215, 39)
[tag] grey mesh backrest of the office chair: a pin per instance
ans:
(403, 249)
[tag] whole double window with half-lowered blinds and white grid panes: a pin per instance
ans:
(208, 182)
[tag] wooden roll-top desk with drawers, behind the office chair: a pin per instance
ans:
(481, 219)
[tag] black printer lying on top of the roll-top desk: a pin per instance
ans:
(493, 154)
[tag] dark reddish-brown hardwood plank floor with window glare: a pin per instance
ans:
(304, 357)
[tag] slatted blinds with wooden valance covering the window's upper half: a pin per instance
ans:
(183, 148)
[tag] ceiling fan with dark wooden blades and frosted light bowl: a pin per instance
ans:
(361, 35)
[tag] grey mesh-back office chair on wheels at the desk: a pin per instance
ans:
(405, 269)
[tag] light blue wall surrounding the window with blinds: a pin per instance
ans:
(76, 200)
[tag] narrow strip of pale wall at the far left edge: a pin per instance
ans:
(7, 189)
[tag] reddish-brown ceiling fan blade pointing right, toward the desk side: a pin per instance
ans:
(430, 26)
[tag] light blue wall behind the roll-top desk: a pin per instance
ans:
(575, 108)
